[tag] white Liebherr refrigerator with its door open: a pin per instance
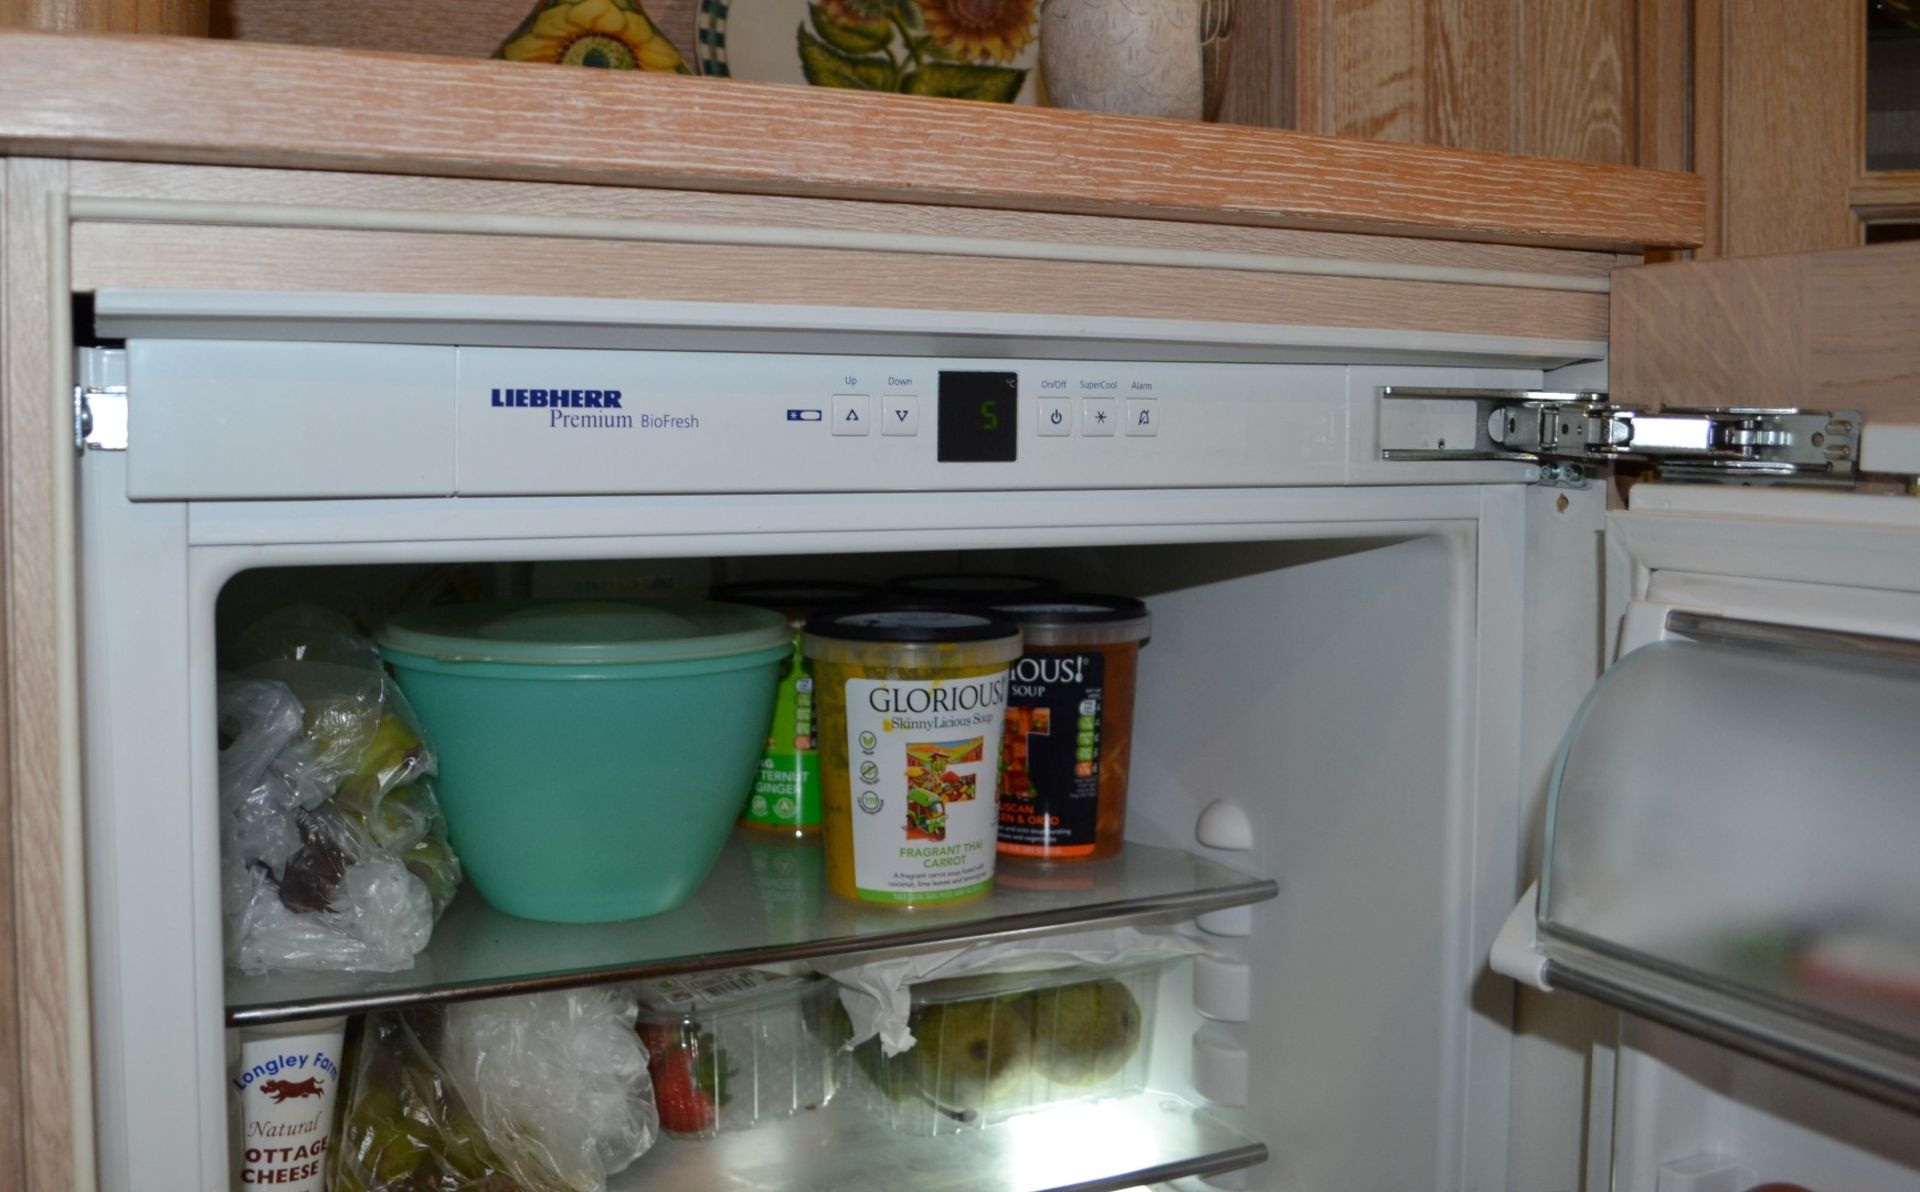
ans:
(1543, 836)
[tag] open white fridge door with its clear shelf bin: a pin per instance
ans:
(1731, 844)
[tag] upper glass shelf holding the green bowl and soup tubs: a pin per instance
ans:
(763, 903)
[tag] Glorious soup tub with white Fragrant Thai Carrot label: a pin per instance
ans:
(913, 702)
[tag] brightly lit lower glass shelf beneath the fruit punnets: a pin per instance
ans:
(1120, 1143)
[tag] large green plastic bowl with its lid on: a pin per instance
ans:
(592, 757)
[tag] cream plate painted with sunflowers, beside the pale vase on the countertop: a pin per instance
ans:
(957, 49)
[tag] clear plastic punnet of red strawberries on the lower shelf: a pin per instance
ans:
(731, 1051)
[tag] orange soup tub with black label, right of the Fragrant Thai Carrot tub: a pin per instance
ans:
(1070, 727)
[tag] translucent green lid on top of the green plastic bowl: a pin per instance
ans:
(587, 632)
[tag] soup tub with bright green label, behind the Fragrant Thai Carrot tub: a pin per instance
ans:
(786, 790)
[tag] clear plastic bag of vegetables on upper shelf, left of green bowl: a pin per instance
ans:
(333, 847)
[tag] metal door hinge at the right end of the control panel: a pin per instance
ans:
(1566, 431)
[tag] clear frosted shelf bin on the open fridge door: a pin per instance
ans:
(1731, 849)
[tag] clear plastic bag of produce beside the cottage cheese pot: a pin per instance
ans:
(542, 1093)
